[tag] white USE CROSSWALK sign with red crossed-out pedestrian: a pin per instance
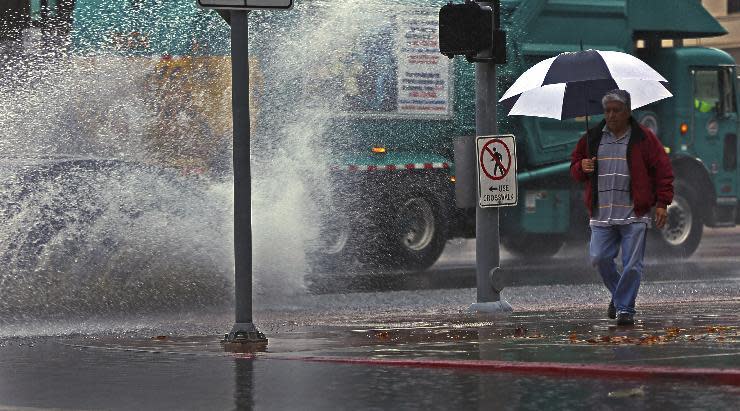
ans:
(497, 185)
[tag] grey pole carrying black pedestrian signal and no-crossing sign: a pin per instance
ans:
(459, 35)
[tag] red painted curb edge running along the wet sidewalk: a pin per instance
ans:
(721, 376)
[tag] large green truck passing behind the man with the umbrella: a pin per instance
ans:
(406, 216)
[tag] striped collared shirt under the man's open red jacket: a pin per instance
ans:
(615, 199)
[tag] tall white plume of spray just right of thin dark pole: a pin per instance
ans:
(304, 98)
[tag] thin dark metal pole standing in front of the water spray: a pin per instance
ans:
(244, 330)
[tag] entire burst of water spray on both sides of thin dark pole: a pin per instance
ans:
(97, 216)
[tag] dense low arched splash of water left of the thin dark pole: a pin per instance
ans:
(106, 236)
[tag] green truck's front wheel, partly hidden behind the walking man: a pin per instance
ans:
(682, 233)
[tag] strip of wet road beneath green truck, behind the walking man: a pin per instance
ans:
(718, 257)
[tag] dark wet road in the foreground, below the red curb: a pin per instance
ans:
(87, 379)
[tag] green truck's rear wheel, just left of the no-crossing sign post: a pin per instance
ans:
(417, 235)
